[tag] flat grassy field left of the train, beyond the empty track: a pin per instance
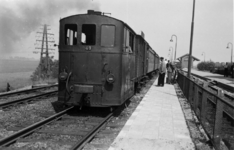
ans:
(18, 73)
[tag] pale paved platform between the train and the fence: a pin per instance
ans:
(158, 123)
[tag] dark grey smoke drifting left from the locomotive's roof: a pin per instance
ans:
(19, 18)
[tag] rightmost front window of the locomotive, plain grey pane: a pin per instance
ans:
(108, 35)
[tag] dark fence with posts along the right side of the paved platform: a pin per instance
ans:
(210, 108)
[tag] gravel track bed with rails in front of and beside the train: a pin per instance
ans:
(86, 128)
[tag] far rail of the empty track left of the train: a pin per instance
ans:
(27, 91)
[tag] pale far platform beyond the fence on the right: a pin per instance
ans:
(213, 76)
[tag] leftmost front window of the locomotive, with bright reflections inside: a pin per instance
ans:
(70, 34)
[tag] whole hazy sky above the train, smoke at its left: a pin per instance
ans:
(20, 20)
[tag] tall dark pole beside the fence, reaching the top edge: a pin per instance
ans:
(191, 42)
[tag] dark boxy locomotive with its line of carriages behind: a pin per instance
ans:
(101, 60)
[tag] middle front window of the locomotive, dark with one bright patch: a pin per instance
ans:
(88, 35)
